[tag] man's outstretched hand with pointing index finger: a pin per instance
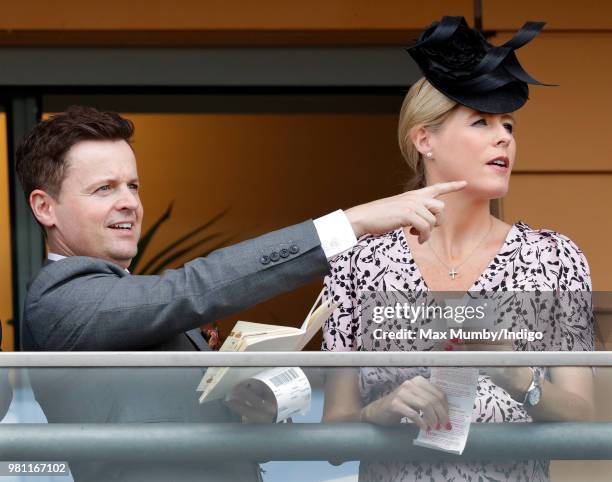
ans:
(419, 210)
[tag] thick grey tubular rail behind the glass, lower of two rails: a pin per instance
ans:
(183, 442)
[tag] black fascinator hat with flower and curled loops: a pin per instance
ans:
(460, 63)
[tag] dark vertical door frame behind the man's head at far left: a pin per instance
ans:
(27, 240)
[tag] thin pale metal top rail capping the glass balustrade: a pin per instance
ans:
(303, 359)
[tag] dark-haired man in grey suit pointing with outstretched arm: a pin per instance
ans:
(79, 173)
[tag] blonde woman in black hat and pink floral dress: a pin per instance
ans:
(456, 124)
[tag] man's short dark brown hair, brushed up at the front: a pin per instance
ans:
(41, 157)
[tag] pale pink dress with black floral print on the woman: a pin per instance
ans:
(529, 261)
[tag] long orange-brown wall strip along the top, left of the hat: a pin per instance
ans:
(227, 14)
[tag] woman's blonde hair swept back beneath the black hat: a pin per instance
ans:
(423, 106)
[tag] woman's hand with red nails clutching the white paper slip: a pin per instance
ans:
(416, 399)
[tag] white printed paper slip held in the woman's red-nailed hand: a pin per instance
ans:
(460, 386)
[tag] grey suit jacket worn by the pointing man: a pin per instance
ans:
(82, 303)
